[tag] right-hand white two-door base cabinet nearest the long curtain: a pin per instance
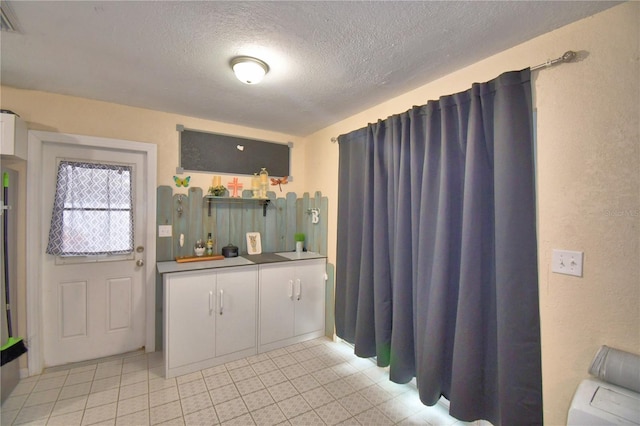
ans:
(292, 302)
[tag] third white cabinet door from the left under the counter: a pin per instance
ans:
(276, 303)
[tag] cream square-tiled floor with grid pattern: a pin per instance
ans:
(313, 383)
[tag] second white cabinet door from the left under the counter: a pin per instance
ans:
(236, 310)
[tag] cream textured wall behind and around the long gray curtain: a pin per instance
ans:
(588, 148)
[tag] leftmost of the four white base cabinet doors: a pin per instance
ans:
(191, 318)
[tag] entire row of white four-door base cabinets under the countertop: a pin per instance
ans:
(217, 315)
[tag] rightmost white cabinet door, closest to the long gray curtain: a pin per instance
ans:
(309, 296)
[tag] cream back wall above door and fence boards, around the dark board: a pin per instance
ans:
(67, 114)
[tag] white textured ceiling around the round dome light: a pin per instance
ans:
(328, 60)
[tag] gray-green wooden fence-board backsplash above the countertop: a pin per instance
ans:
(229, 219)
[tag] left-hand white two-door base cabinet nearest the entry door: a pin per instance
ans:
(210, 317)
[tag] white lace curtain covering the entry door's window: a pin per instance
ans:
(92, 211)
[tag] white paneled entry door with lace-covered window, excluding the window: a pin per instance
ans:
(92, 306)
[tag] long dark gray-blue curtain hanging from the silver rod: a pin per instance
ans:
(436, 257)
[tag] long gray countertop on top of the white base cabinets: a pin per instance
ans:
(243, 260)
